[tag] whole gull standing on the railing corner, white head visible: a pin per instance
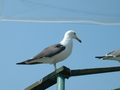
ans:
(54, 53)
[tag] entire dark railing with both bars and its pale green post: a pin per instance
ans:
(60, 74)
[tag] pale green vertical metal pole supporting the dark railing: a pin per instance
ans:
(60, 82)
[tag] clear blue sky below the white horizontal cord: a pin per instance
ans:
(22, 40)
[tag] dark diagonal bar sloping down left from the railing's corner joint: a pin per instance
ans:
(50, 79)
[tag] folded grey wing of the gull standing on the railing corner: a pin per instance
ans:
(50, 51)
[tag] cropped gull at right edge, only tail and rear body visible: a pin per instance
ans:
(114, 55)
